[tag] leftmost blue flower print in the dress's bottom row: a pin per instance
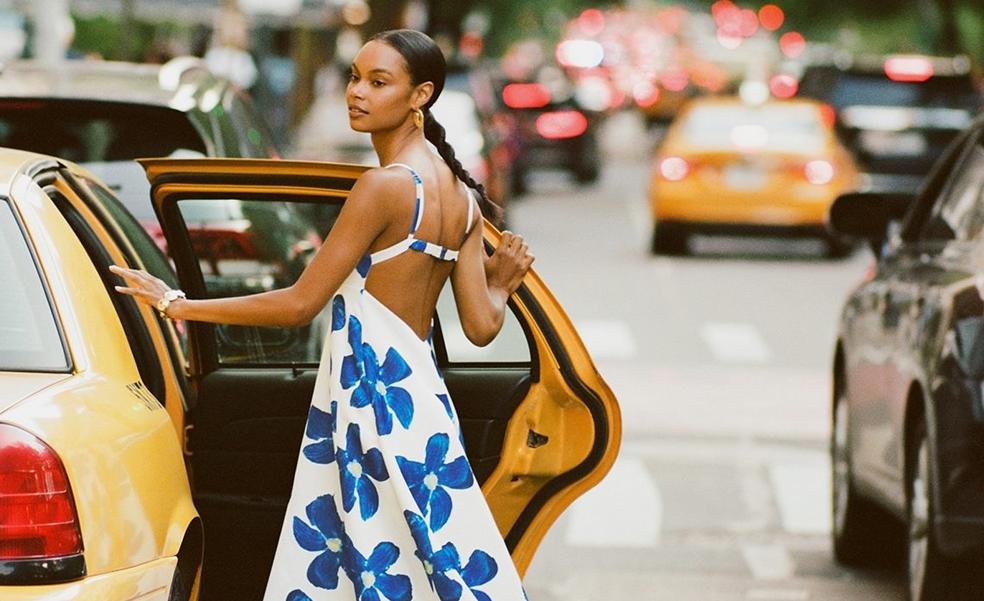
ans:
(325, 534)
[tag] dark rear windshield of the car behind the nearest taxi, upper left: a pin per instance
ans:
(90, 131)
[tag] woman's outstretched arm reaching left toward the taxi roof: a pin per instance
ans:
(363, 217)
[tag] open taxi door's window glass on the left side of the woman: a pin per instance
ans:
(245, 246)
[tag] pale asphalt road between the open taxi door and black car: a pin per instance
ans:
(720, 362)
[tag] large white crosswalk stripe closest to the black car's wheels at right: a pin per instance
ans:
(803, 494)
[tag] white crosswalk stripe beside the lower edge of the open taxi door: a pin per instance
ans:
(624, 510)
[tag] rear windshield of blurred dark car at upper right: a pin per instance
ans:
(853, 89)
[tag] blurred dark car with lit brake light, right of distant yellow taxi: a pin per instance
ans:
(898, 113)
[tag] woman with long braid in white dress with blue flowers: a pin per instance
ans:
(384, 502)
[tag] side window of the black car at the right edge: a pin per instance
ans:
(959, 213)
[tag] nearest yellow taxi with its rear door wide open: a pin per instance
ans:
(152, 460)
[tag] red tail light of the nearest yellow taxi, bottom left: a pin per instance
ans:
(37, 510)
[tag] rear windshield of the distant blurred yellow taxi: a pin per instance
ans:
(774, 128)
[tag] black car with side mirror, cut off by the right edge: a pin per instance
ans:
(908, 402)
